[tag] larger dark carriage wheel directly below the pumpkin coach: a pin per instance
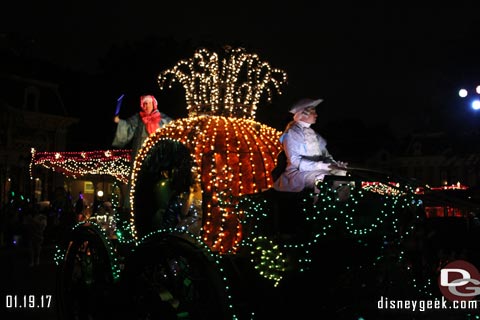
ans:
(171, 278)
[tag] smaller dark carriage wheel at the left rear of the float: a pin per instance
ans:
(85, 280)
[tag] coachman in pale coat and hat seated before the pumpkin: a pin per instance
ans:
(307, 157)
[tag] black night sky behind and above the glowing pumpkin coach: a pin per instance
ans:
(382, 69)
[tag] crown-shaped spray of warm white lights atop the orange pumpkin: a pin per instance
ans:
(232, 86)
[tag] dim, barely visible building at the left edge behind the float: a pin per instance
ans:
(32, 116)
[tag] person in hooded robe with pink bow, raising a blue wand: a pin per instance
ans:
(137, 128)
